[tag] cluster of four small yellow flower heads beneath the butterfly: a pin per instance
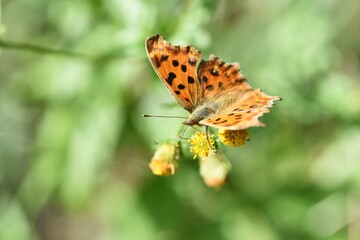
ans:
(214, 167)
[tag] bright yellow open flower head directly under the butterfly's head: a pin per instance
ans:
(202, 145)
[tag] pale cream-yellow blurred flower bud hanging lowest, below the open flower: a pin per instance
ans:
(214, 169)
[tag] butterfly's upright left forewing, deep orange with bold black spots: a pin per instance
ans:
(176, 66)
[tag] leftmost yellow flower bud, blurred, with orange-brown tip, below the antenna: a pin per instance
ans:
(163, 163)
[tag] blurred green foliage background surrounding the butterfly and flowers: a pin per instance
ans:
(74, 149)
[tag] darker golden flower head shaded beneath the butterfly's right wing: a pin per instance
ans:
(233, 138)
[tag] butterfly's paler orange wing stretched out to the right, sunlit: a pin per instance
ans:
(243, 113)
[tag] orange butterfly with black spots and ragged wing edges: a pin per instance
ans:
(215, 93)
